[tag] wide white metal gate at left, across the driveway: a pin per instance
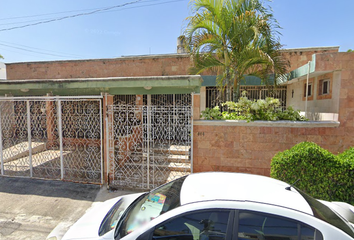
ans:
(52, 138)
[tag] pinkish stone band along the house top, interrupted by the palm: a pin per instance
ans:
(160, 65)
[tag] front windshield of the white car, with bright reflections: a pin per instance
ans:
(152, 205)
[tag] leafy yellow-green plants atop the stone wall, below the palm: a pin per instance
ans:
(245, 109)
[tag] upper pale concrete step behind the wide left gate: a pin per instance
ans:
(21, 150)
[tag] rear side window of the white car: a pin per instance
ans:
(259, 226)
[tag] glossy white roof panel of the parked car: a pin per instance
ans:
(241, 187)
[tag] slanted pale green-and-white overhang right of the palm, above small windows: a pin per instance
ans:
(311, 68)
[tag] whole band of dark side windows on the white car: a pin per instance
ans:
(223, 224)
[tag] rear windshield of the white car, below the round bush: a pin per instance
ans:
(326, 214)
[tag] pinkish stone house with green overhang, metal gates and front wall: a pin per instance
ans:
(134, 121)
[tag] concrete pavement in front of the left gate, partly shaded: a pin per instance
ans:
(30, 208)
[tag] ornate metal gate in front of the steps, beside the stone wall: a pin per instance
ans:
(151, 142)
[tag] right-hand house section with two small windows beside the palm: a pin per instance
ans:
(315, 87)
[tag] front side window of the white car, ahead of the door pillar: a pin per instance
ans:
(195, 226)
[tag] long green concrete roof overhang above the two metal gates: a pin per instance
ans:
(95, 86)
